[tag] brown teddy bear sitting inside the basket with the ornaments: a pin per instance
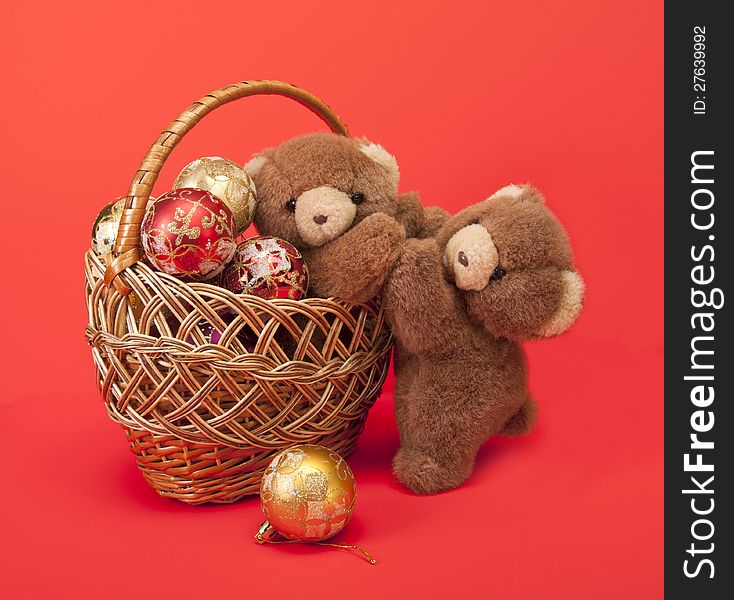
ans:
(336, 200)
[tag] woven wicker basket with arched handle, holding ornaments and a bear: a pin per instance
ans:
(202, 419)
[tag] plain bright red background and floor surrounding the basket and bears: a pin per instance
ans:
(469, 96)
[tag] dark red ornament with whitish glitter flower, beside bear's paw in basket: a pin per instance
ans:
(267, 267)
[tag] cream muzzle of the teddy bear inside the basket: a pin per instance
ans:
(322, 214)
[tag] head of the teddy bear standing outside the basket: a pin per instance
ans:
(511, 261)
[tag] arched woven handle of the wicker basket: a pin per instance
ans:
(128, 234)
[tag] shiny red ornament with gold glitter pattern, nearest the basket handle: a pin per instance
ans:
(189, 233)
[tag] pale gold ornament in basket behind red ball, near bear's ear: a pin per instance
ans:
(227, 181)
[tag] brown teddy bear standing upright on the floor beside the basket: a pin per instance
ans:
(497, 273)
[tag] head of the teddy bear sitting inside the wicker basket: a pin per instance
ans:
(312, 188)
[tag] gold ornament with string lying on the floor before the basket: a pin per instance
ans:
(307, 494)
